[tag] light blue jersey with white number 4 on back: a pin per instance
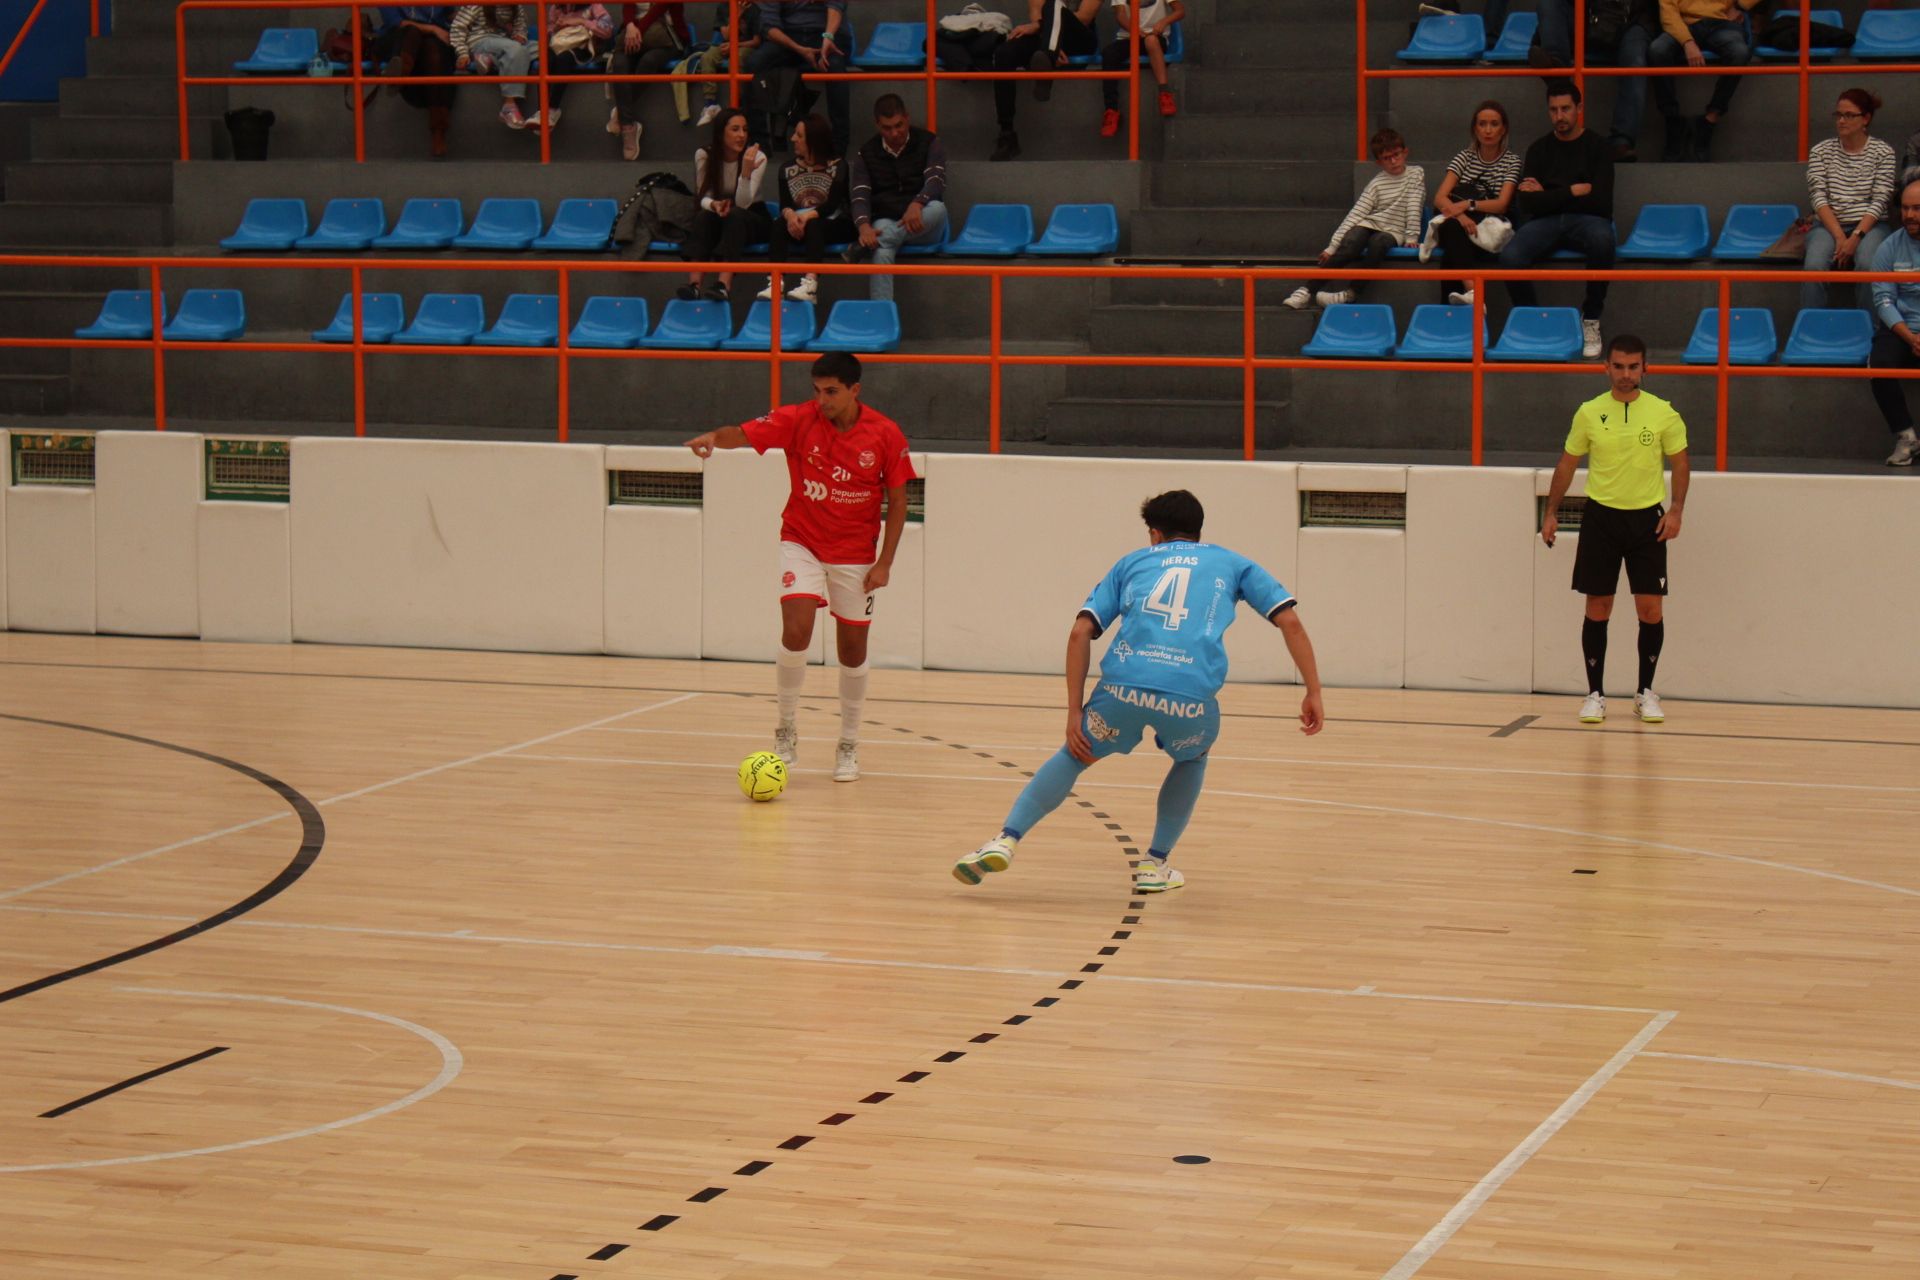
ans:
(1174, 605)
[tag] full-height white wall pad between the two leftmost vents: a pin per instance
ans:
(147, 492)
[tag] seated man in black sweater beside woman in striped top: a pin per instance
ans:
(1566, 197)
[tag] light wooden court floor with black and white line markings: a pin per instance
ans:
(435, 964)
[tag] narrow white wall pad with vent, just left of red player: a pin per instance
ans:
(654, 565)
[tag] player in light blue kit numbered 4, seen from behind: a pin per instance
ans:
(1174, 602)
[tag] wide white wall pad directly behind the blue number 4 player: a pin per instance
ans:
(1017, 544)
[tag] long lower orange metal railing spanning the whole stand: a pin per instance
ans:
(996, 360)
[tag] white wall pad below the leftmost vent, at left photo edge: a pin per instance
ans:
(51, 559)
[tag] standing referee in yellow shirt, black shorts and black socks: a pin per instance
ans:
(1625, 437)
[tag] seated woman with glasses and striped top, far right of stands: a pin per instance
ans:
(1850, 179)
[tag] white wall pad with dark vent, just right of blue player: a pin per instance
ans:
(1355, 584)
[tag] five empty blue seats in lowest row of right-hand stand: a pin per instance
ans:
(1552, 335)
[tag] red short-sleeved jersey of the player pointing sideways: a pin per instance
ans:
(838, 477)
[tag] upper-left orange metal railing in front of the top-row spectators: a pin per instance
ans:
(358, 78)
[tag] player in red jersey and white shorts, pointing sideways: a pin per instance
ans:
(842, 458)
